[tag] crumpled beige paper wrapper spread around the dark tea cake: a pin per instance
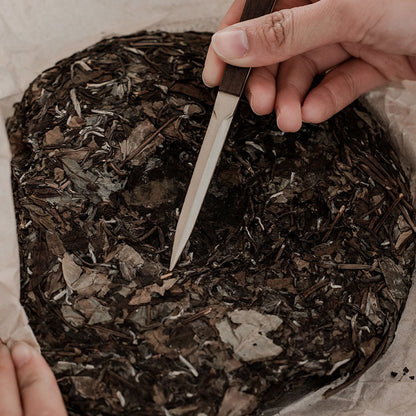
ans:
(36, 34)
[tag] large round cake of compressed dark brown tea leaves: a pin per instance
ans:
(295, 275)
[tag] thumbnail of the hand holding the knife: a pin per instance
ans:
(230, 43)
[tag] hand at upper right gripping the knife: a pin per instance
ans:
(358, 44)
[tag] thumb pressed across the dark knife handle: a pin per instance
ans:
(278, 36)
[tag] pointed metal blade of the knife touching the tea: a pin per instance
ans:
(218, 127)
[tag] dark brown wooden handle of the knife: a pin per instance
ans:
(235, 78)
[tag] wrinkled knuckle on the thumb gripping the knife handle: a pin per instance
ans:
(278, 28)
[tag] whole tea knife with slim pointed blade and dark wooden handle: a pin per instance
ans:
(230, 91)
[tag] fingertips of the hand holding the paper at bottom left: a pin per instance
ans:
(27, 385)
